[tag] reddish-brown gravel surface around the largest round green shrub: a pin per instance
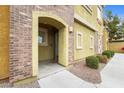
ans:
(82, 71)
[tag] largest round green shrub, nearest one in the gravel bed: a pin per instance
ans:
(92, 62)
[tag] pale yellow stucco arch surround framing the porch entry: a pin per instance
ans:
(49, 19)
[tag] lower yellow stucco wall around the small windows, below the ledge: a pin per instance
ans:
(86, 50)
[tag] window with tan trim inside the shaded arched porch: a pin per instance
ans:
(43, 36)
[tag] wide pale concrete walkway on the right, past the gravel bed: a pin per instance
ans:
(113, 74)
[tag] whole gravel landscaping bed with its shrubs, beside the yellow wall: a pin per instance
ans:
(89, 69)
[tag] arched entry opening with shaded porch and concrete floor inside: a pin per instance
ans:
(50, 47)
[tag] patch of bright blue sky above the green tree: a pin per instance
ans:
(116, 10)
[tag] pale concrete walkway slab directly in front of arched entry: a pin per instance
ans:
(64, 79)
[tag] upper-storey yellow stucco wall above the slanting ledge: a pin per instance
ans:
(89, 17)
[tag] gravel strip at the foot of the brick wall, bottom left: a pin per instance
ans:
(33, 84)
